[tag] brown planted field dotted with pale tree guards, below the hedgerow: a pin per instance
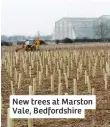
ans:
(53, 70)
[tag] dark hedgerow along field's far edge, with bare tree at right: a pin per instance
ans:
(101, 31)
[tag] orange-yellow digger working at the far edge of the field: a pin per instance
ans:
(33, 47)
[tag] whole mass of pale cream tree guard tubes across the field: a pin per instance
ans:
(56, 66)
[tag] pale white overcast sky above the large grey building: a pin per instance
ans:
(27, 17)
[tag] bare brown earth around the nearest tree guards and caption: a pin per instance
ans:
(99, 118)
